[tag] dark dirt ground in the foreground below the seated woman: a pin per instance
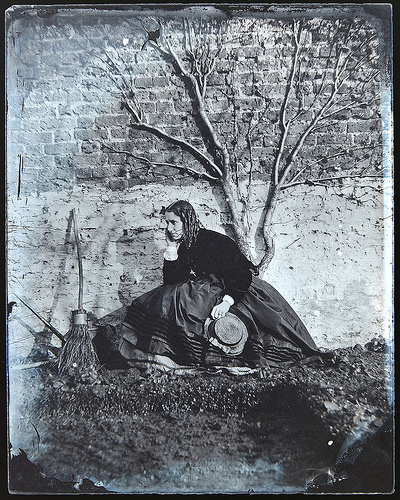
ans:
(297, 429)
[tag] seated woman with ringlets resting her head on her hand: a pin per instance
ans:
(211, 309)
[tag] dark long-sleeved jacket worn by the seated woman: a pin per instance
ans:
(212, 253)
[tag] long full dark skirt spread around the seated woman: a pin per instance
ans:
(167, 323)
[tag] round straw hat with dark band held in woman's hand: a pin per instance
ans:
(228, 333)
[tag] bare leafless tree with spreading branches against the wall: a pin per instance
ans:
(329, 77)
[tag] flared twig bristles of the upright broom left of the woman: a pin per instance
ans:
(77, 354)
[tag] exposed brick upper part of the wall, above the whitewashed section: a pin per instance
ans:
(63, 109)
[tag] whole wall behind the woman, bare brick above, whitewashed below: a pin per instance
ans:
(62, 112)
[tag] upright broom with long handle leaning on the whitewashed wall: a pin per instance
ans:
(77, 355)
